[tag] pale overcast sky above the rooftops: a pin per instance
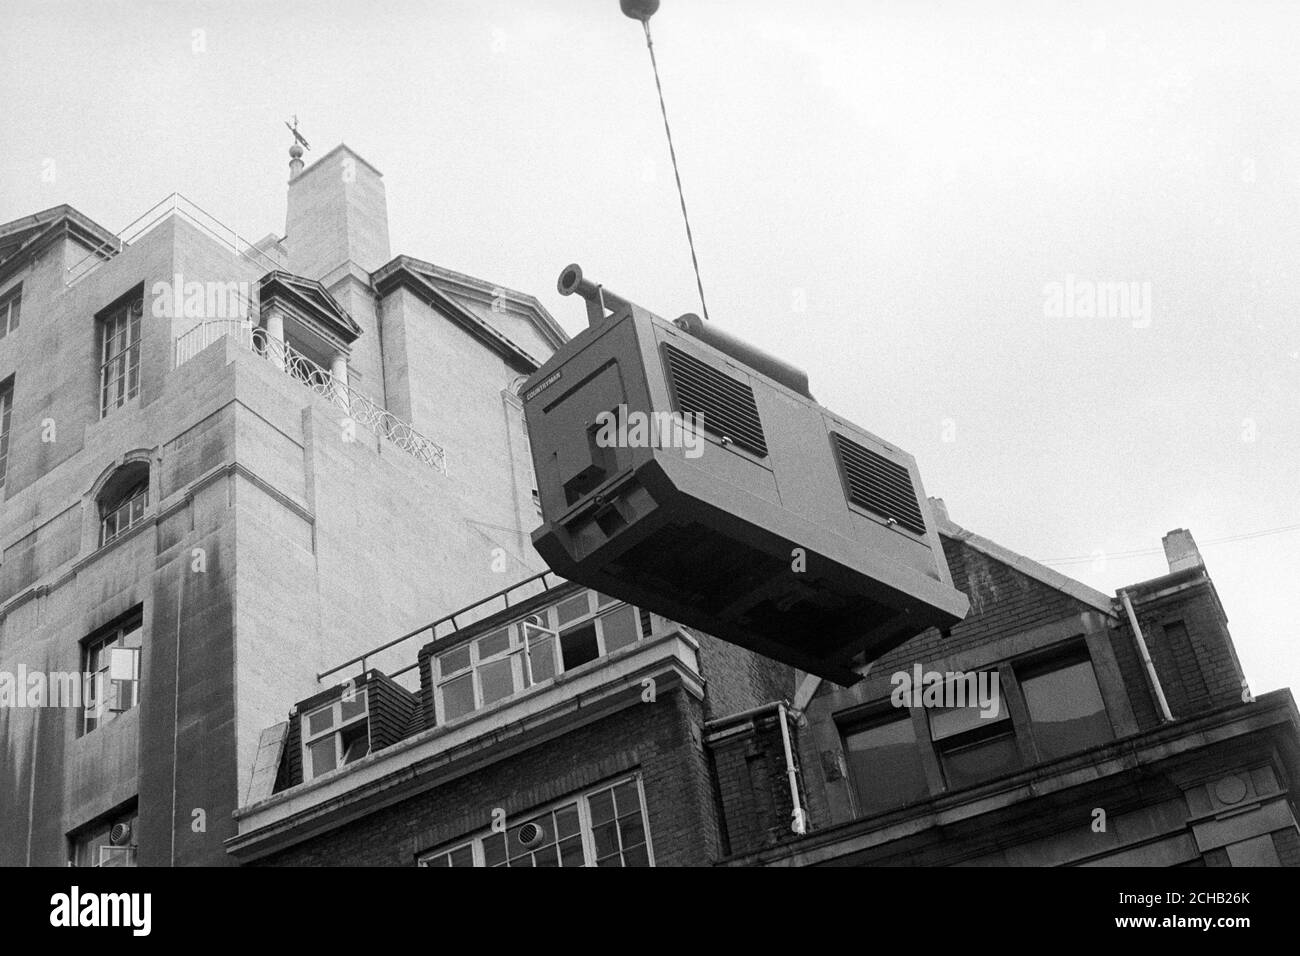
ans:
(883, 193)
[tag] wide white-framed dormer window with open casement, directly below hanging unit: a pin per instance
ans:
(532, 651)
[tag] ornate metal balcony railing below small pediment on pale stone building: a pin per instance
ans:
(359, 408)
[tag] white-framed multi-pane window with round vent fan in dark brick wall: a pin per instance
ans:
(603, 828)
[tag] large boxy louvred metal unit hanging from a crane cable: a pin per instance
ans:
(695, 477)
